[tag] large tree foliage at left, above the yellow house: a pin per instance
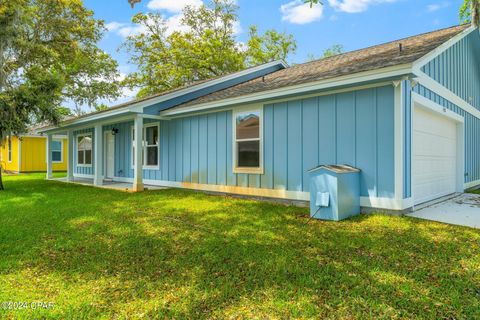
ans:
(49, 53)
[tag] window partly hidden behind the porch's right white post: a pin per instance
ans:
(150, 146)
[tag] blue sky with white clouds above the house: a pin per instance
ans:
(354, 24)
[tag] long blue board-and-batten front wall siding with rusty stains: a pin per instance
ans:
(355, 128)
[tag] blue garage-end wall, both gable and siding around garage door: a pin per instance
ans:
(458, 70)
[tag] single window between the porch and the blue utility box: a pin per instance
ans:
(248, 141)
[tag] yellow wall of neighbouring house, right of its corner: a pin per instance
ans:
(34, 155)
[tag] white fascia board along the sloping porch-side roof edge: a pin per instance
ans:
(137, 107)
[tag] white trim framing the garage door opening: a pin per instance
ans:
(418, 101)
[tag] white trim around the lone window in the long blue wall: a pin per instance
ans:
(251, 108)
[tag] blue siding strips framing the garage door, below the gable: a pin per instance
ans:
(472, 135)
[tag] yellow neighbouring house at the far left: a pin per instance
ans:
(27, 153)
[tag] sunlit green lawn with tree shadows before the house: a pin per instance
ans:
(99, 253)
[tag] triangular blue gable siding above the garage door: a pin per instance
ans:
(458, 69)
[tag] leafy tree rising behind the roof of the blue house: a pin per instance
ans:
(206, 47)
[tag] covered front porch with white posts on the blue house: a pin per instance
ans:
(114, 153)
